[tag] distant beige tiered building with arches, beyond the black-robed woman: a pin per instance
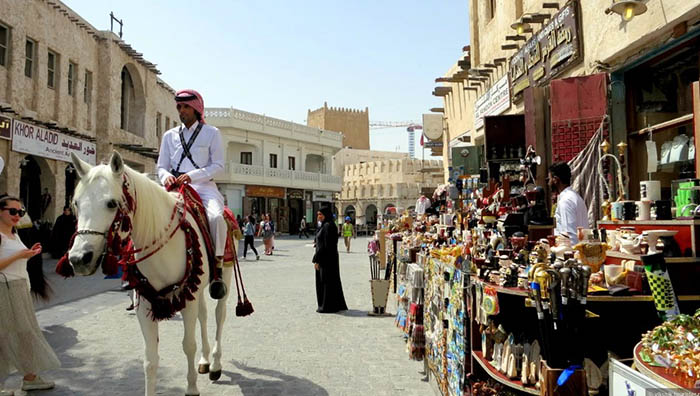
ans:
(370, 188)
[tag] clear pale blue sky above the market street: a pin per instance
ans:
(281, 58)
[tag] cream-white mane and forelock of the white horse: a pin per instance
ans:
(153, 204)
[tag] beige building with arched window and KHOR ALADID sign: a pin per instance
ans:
(67, 87)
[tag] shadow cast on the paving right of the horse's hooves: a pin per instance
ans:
(275, 383)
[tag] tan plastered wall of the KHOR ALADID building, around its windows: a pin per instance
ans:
(92, 111)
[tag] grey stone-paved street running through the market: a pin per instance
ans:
(284, 348)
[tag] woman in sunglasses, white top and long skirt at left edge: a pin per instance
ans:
(22, 345)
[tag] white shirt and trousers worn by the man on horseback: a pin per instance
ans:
(208, 153)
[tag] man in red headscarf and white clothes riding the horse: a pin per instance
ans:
(193, 153)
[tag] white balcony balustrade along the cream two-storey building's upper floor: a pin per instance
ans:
(281, 177)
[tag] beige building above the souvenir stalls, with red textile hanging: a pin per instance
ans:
(573, 65)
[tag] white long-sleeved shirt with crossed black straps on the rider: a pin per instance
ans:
(207, 151)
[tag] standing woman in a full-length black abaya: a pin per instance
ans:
(329, 289)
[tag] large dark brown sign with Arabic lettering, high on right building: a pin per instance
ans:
(548, 52)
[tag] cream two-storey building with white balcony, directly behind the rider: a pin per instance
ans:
(275, 166)
